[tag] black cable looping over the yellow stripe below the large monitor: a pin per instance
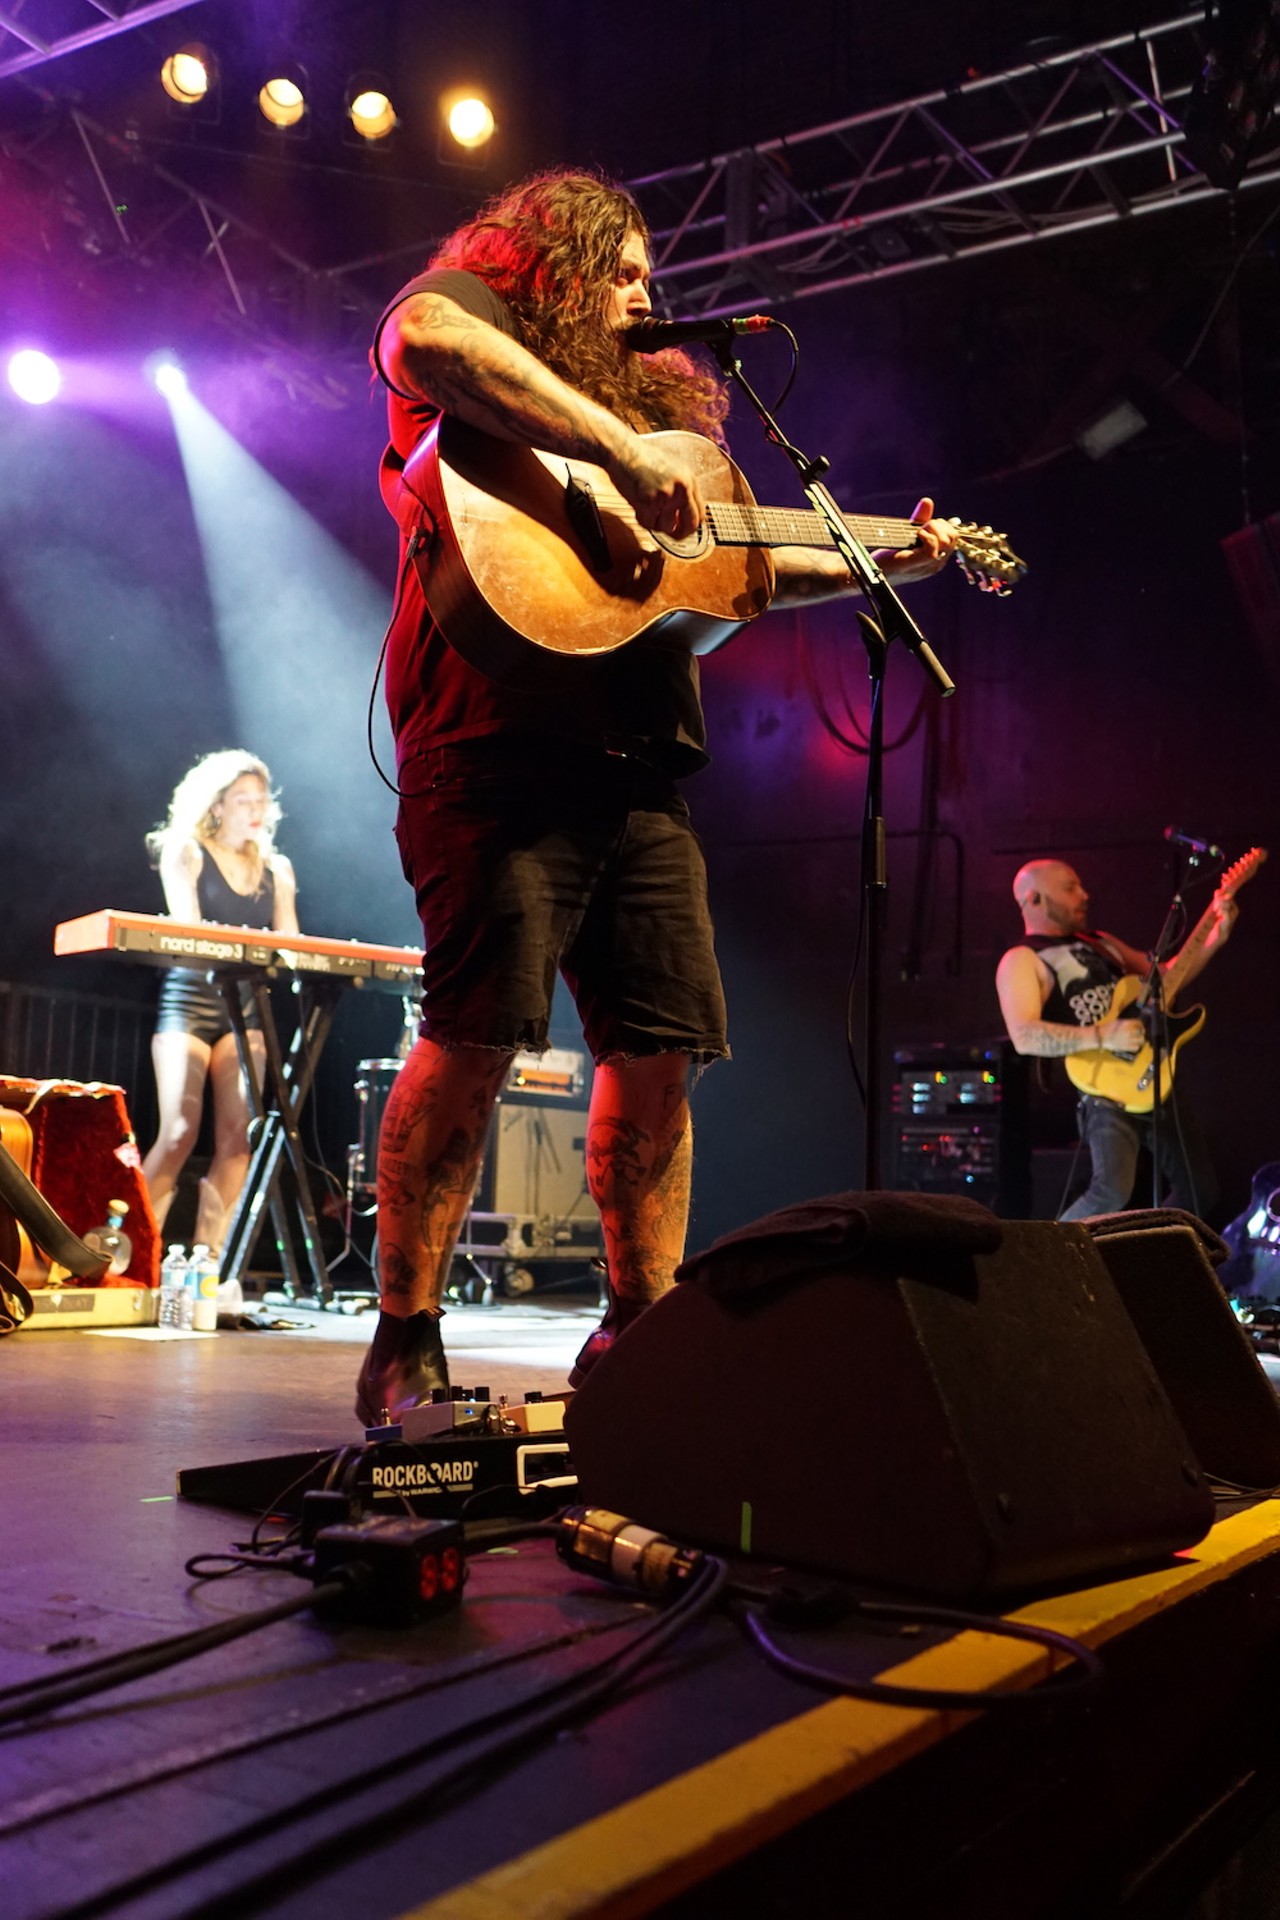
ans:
(1085, 1683)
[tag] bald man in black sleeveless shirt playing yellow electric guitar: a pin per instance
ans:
(1058, 996)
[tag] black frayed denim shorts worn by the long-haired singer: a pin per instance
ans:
(533, 859)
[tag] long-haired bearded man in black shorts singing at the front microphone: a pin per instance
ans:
(544, 828)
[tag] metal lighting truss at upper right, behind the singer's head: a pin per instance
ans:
(1060, 145)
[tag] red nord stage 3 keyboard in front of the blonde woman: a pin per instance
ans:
(210, 948)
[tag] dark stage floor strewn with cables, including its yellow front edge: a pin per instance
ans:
(243, 1783)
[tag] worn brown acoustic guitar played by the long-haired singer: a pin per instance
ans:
(523, 552)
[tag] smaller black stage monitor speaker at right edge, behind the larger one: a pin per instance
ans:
(1204, 1358)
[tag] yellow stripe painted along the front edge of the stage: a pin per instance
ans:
(628, 1861)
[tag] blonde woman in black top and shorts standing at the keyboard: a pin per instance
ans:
(218, 863)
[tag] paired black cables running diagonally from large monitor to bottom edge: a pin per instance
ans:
(544, 1712)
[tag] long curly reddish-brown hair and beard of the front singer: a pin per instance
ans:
(550, 249)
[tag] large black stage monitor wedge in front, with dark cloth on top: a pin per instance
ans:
(984, 1428)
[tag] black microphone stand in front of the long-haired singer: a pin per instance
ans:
(886, 623)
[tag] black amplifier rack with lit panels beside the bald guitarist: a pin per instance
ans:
(960, 1124)
